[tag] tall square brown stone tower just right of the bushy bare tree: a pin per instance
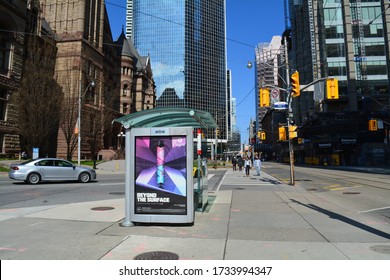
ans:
(79, 27)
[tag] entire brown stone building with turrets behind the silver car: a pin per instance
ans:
(89, 66)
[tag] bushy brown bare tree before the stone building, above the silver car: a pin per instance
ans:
(39, 98)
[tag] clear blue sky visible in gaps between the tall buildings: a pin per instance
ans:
(248, 22)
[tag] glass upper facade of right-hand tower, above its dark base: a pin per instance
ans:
(343, 39)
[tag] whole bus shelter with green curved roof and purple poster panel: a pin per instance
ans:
(159, 158)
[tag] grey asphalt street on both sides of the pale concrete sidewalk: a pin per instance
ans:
(355, 191)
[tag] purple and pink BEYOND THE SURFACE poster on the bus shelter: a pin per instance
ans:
(160, 174)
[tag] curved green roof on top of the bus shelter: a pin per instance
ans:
(168, 117)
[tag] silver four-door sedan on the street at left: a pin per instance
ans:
(50, 169)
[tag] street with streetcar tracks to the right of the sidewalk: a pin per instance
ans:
(360, 192)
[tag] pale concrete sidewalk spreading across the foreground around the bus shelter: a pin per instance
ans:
(248, 218)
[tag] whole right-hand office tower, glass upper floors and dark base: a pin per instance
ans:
(347, 40)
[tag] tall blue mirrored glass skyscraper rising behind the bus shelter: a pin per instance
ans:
(186, 44)
